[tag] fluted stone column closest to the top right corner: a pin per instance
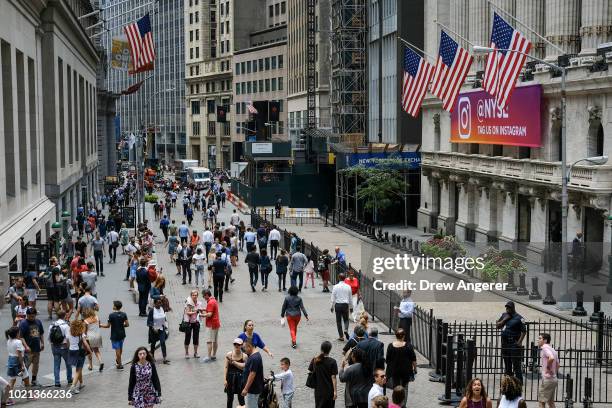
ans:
(596, 25)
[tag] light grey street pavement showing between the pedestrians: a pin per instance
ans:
(191, 383)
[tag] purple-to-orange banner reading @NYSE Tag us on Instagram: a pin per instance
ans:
(477, 119)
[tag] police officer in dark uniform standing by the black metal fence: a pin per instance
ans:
(512, 335)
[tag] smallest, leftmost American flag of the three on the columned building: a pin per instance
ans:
(417, 75)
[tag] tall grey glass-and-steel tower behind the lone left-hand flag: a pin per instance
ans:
(160, 101)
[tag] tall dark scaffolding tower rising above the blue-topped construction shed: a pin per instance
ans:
(348, 96)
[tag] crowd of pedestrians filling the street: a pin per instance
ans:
(205, 261)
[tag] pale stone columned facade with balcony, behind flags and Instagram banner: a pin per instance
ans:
(509, 195)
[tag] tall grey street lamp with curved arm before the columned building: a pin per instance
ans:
(565, 301)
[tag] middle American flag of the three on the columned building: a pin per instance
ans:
(450, 71)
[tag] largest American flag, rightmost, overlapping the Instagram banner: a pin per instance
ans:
(503, 67)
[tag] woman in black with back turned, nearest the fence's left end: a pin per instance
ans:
(401, 361)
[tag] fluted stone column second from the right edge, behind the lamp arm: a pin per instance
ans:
(562, 26)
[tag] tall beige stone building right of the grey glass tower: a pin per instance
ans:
(214, 30)
